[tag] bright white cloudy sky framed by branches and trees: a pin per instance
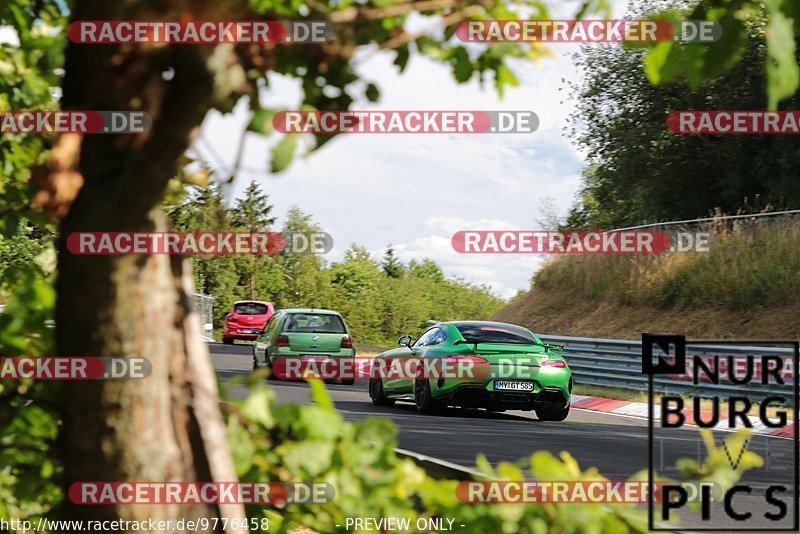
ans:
(415, 191)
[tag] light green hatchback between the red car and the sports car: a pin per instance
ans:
(304, 334)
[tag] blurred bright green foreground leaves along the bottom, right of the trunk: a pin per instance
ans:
(288, 443)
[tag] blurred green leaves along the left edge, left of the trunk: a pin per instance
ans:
(29, 466)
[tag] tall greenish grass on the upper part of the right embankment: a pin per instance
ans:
(751, 264)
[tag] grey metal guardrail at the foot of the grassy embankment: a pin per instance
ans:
(618, 363)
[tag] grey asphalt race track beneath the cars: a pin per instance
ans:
(616, 445)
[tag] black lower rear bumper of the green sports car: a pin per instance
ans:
(475, 396)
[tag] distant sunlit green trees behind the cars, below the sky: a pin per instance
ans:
(380, 301)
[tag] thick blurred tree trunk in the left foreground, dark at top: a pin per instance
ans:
(166, 427)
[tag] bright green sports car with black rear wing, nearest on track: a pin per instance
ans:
(475, 364)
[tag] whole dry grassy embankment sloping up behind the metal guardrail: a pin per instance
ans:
(745, 287)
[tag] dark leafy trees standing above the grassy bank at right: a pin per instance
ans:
(640, 172)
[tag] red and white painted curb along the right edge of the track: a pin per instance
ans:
(639, 410)
